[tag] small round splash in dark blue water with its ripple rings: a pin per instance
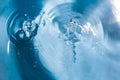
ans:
(21, 28)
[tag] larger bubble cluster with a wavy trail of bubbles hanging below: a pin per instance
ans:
(77, 30)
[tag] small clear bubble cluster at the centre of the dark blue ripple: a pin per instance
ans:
(28, 30)
